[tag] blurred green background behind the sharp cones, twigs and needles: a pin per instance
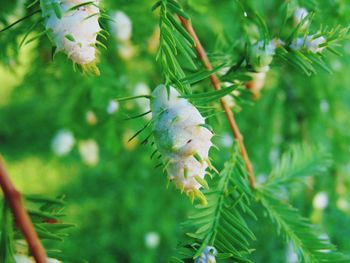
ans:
(121, 206)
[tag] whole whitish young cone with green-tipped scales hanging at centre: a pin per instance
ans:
(181, 139)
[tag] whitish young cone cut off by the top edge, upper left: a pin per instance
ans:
(73, 27)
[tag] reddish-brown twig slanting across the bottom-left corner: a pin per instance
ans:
(22, 219)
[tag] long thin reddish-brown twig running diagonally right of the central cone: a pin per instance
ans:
(216, 84)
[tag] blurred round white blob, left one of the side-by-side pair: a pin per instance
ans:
(63, 142)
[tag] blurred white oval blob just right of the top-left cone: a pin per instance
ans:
(121, 26)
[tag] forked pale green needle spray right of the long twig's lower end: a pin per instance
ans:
(308, 241)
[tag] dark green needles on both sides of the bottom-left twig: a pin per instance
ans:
(46, 215)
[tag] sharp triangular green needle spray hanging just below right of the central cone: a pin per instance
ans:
(221, 223)
